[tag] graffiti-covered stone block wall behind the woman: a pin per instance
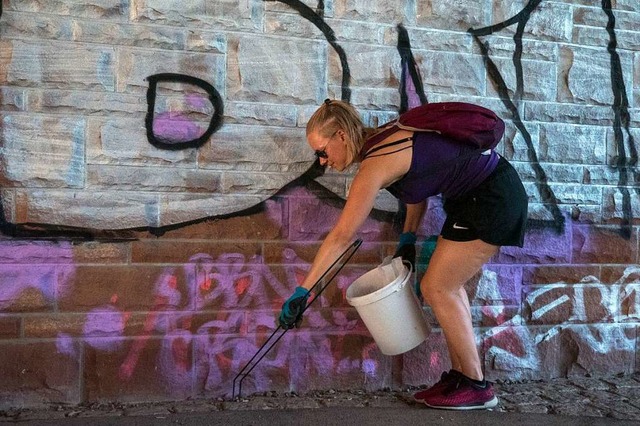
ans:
(150, 234)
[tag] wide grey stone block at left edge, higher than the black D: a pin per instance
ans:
(59, 65)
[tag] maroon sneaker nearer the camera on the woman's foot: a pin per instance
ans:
(462, 394)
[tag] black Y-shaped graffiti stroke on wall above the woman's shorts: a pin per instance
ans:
(546, 193)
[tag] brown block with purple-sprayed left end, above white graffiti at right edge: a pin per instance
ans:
(603, 244)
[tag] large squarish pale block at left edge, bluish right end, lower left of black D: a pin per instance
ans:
(43, 151)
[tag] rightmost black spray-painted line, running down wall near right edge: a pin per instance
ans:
(621, 118)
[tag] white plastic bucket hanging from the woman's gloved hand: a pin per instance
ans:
(389, 307)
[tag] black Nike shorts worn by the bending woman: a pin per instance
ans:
(494, 212)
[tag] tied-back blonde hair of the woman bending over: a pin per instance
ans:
(335, 115)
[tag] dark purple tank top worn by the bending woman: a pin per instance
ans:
(430, 151)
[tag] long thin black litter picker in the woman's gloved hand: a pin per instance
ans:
(275, 337)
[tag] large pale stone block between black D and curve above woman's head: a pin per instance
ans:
(270, 69)
